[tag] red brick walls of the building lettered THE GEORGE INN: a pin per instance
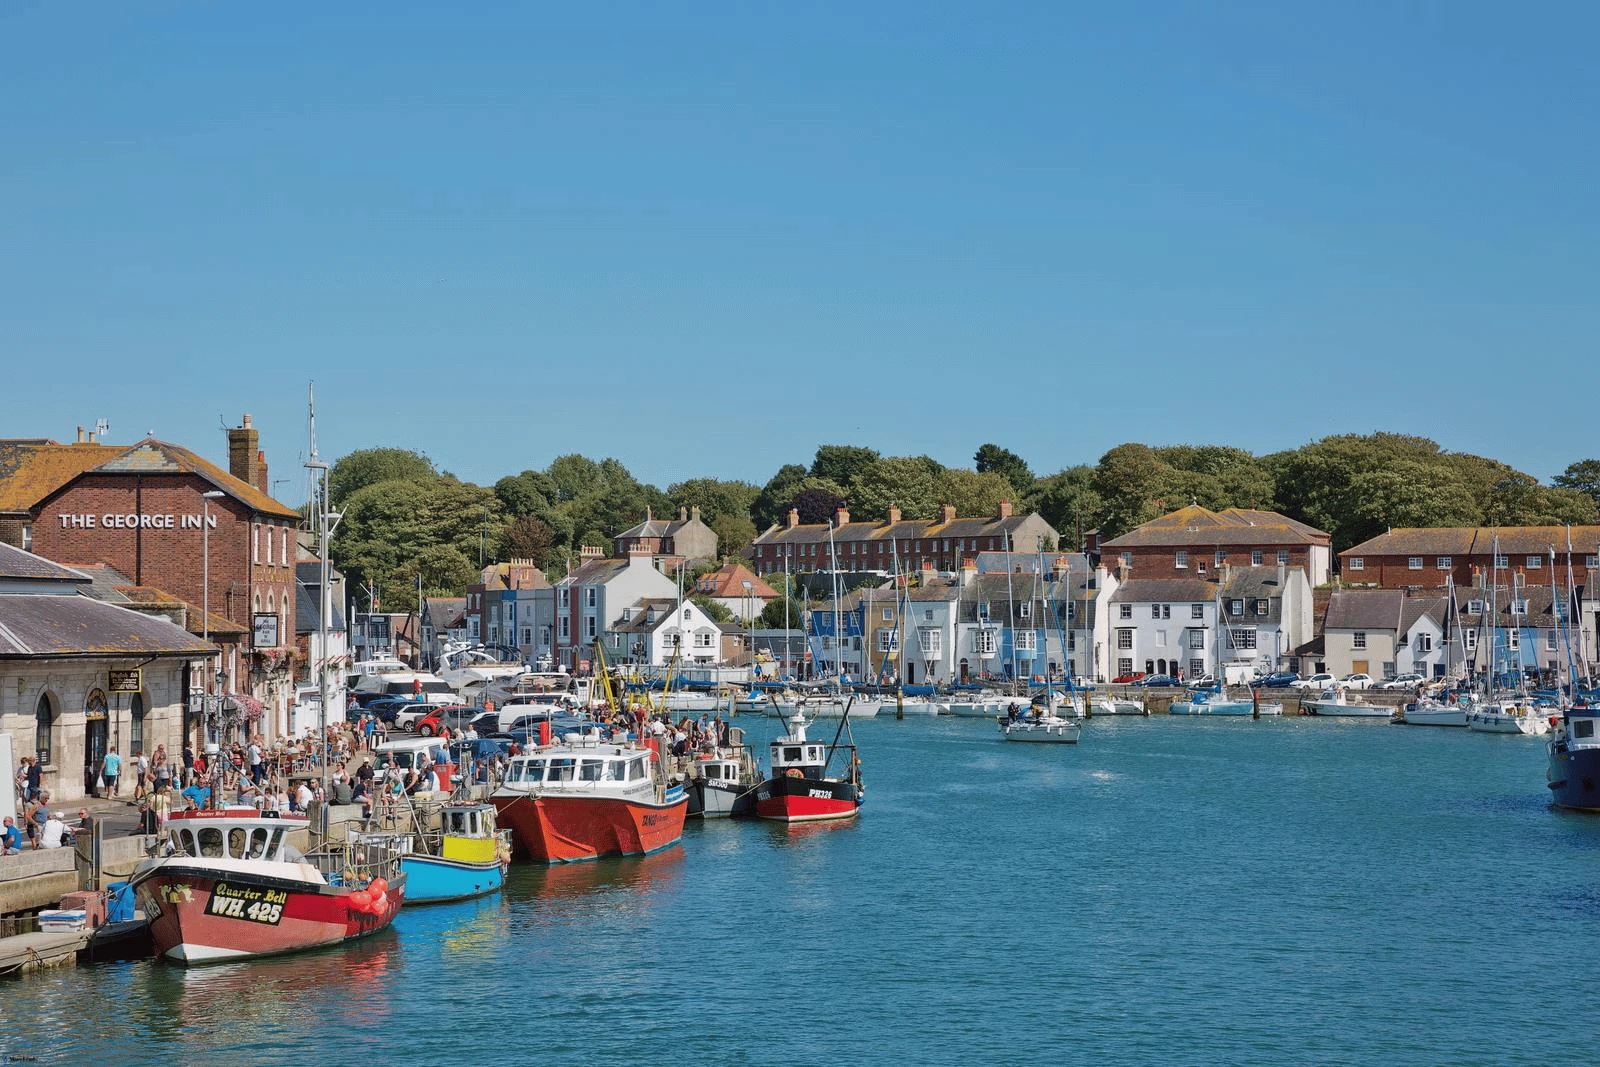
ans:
(172, 559)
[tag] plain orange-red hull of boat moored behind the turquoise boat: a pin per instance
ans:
(562, 829)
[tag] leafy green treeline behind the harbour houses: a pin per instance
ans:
(404, 518)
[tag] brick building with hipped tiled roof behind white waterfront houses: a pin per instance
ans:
(1194, 543)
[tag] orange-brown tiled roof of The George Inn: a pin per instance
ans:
(33, 471)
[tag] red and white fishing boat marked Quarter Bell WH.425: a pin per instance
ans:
(233, 887)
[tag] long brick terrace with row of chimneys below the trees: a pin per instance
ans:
(895, 543)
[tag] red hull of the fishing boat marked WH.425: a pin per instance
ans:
(252, 916)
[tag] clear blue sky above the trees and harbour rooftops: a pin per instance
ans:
(708, 239)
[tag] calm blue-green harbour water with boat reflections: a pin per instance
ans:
(1177, 890)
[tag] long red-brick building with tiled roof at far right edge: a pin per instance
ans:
(1425, 559)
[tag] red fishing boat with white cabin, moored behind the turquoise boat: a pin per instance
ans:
(586, 799)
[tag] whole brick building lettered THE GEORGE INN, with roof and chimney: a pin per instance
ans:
(145, 511)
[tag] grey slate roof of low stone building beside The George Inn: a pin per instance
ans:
(44, 625)
